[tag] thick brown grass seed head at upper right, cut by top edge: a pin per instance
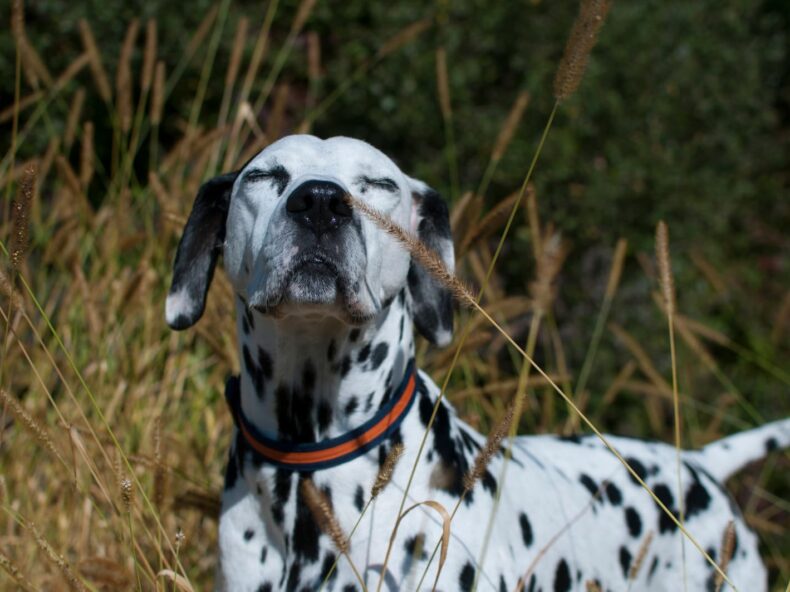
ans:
(582, 39)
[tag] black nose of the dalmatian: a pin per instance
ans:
(319, 206)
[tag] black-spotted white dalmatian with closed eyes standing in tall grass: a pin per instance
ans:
(326, 303)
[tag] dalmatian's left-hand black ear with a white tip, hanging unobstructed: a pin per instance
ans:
(197, 252)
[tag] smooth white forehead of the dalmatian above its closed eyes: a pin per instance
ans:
(338, 156)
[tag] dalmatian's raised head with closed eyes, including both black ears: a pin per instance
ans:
(293, 246)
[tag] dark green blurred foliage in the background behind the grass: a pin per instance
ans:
(683, 115)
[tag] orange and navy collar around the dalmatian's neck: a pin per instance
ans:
(315, 456)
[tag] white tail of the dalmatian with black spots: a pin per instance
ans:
(723, 458)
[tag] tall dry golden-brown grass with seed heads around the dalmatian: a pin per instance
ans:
(100, 398)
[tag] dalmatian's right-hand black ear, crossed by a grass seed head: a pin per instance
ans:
(433, 302)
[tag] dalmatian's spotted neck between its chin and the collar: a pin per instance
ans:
(308, 379)
